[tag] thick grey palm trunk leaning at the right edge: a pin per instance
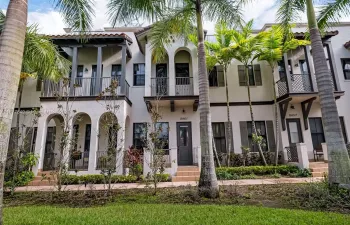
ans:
(339, 163)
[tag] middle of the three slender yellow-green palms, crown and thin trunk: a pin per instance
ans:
(245, 48)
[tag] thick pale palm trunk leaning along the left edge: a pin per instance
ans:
(11, 53)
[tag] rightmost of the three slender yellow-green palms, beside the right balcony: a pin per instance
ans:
(272, 50)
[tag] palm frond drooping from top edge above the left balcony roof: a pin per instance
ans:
(77, 14)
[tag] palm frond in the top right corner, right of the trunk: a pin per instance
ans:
(332, 12)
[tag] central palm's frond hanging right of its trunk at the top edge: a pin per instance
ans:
(229, 11)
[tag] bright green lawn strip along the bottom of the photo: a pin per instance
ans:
(167, 214)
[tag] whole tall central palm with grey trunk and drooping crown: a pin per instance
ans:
(178, 18)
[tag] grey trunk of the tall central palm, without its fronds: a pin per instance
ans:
(208, 184)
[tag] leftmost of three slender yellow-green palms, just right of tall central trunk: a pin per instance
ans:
(216, 54)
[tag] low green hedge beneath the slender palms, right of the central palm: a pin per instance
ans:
(232, 173)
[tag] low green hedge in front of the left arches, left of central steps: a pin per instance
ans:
(99, 179)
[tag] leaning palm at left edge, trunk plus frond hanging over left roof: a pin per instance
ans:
(77, 14)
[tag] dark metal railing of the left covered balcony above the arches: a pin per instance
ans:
(84, 87)
